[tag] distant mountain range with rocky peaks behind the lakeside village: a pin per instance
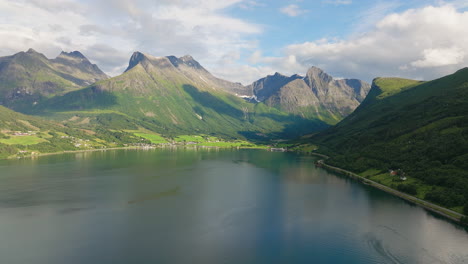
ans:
(171, 96)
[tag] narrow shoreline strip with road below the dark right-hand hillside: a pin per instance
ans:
(439, 210)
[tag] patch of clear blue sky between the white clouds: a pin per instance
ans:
(314, 19)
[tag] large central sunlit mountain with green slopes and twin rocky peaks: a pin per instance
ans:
(172, 96)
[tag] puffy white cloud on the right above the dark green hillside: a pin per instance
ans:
(423, 43)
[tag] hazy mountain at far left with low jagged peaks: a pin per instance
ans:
(28, 77)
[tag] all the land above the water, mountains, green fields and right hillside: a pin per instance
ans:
(415, 127)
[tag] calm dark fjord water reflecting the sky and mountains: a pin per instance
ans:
(208, 206)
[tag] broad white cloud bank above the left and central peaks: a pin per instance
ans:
(119, 27)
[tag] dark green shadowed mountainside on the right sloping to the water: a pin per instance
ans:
(418, 127)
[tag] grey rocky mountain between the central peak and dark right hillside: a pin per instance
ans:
(317, 95)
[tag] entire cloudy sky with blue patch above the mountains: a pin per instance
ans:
(244, 40)
